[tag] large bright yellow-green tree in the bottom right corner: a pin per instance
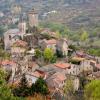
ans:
(92, 90)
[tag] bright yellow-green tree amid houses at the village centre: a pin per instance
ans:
(48, 54)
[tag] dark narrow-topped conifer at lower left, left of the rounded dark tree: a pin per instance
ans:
(23, 89)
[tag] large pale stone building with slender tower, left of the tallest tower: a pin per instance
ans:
(12, 35)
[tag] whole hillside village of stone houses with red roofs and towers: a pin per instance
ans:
(39, 52)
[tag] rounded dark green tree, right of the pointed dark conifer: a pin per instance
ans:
(41, 87)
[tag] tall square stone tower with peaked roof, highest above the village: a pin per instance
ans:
(33, 18)
